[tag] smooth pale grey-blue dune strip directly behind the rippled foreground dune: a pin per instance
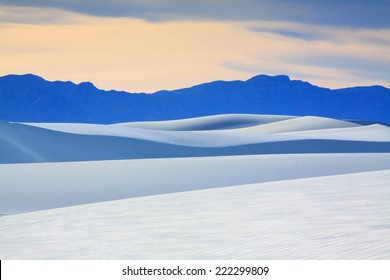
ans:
(32, 187)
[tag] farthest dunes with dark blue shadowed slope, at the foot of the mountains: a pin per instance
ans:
(21, 143)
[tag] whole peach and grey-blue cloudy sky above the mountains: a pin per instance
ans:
(149, 45)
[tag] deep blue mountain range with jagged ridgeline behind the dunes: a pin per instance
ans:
(30, 98)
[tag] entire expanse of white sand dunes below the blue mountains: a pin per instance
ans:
(163, 190)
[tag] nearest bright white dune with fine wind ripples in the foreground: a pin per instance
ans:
(334, 217)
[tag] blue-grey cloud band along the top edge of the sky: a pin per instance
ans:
(352, 13)
